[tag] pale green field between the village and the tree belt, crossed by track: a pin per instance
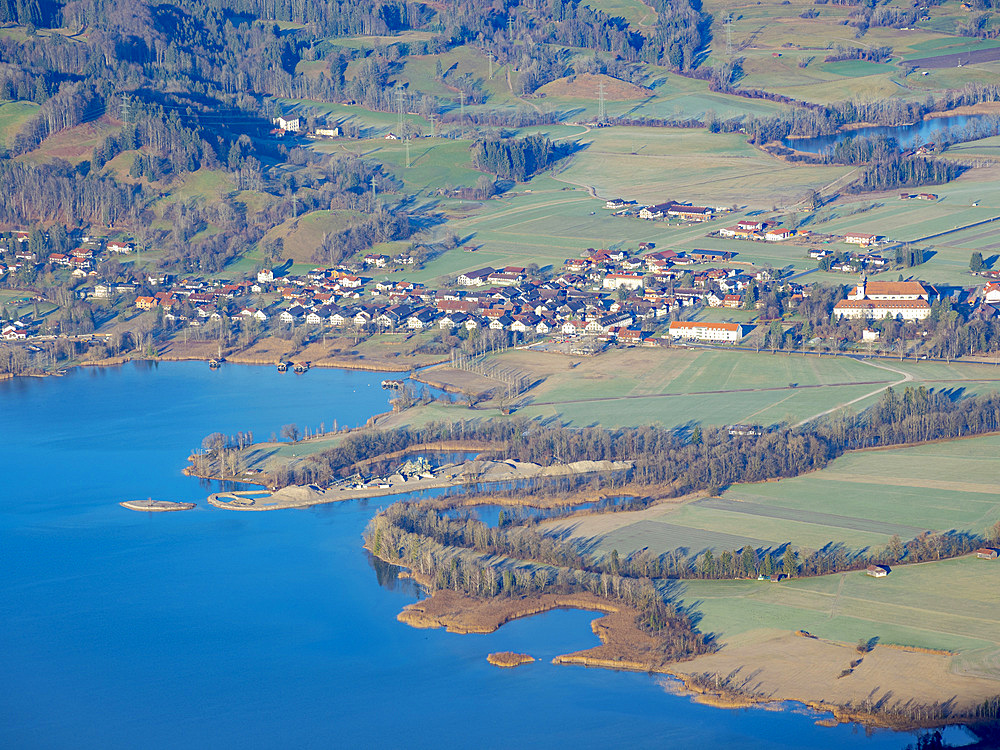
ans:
(684, 387)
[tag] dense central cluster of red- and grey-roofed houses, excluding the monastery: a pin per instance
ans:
(584, 300)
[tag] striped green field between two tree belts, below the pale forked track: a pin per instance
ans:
(859, 500)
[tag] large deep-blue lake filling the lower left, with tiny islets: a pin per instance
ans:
(214, 628)
